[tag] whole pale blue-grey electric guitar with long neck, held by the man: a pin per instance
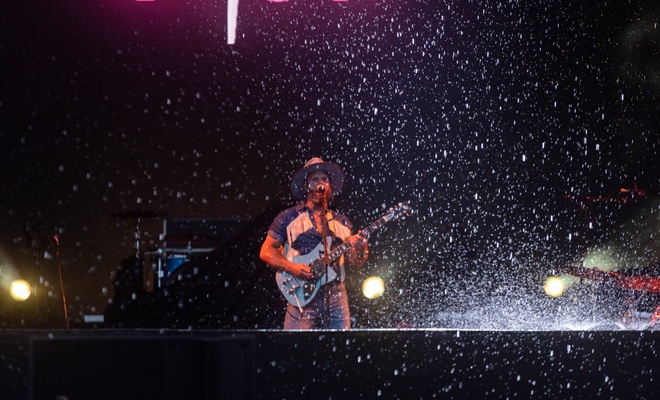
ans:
(300, 292)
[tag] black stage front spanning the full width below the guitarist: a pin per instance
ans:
(358, 364)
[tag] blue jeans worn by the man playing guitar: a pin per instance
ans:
(314, 314)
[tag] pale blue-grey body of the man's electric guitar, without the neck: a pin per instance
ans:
(300, 292)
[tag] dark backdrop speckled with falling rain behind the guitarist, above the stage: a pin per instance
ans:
(495, 119)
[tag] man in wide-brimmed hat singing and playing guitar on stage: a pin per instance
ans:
(309, 245)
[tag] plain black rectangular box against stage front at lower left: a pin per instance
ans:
(142, 368)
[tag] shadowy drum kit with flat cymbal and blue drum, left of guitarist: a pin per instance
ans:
(162, 261)
